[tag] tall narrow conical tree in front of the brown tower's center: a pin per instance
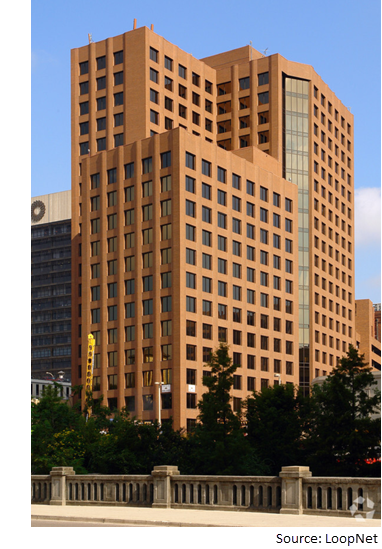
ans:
(218, 445)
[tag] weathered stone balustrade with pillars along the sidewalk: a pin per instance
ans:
(294, 491)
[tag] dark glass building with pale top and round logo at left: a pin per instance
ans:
(51, 285)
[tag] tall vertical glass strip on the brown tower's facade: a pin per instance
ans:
(296, 169)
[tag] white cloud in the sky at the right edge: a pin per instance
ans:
(368, 216)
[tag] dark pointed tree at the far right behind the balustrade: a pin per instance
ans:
(343, 432)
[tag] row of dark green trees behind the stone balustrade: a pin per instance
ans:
(336, 431)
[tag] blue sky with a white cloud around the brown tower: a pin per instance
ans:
(340, 39)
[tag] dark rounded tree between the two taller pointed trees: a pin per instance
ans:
(275, 423)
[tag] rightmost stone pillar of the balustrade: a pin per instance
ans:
(291, 489)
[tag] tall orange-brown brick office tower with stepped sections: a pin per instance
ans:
(212, 200)
